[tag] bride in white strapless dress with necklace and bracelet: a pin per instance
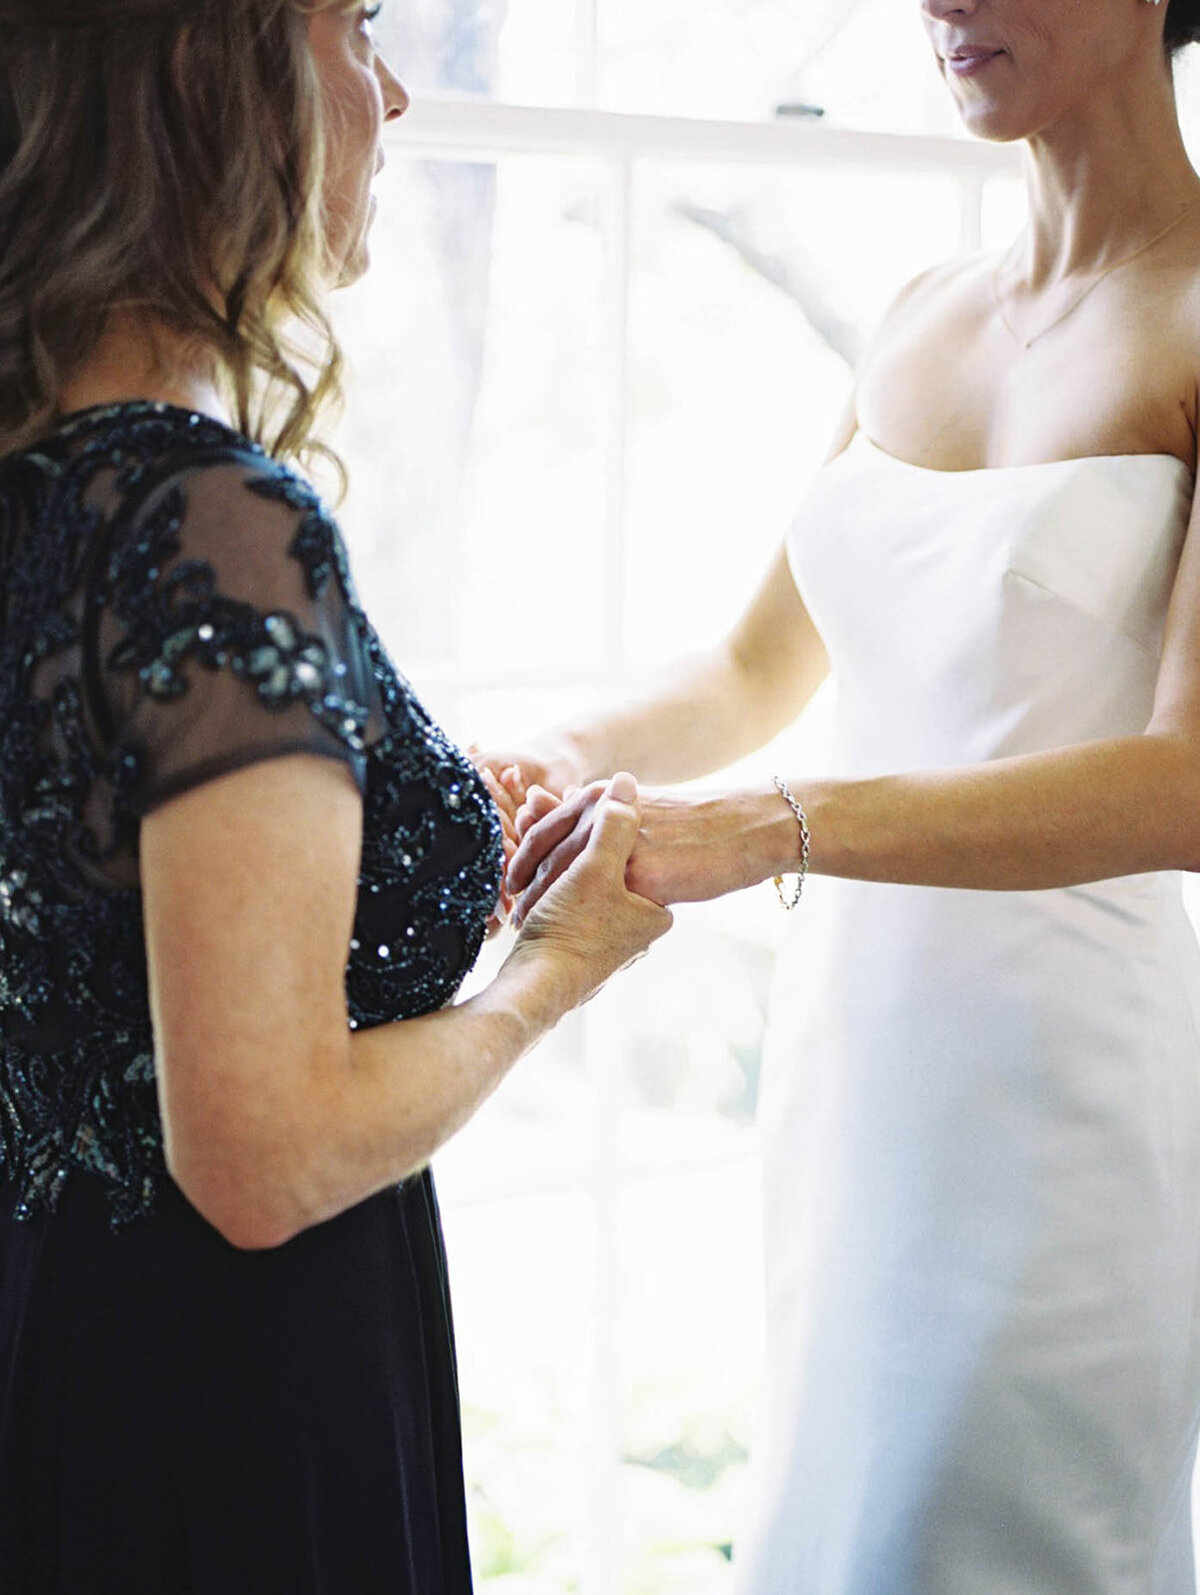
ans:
(982, 1092)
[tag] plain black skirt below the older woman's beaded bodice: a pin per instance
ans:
(184, 1419)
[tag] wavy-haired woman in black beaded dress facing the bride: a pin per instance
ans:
(242, 872)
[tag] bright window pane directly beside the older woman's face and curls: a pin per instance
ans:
(475, 420)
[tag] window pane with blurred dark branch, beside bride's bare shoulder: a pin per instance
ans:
(752, 293)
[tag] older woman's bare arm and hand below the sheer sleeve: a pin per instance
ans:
(275, 1114)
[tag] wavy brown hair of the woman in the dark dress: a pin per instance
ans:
(165, 160)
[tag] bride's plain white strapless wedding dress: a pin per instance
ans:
(982, 1111)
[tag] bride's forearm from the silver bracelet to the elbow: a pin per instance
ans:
(1044, 821)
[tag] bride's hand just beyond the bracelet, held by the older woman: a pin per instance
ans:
(689, 849)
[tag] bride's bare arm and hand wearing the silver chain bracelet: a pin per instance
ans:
(1087, 813)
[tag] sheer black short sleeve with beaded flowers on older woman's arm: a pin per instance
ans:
(227, 632)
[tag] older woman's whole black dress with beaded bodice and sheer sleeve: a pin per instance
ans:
(180, 1417)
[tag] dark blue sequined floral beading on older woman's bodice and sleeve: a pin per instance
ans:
(77, 1074)
